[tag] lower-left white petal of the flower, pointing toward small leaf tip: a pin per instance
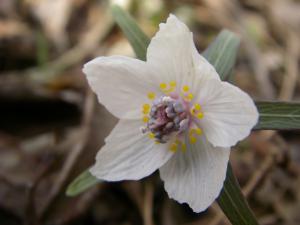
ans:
(128, 154)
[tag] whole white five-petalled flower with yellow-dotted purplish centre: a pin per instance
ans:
(176, 115)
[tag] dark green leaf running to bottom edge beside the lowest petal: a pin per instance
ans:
(233, 203)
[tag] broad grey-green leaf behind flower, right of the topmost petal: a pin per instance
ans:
(222, 52)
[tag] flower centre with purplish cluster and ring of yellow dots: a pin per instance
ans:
(172, 117)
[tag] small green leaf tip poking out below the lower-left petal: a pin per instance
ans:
(83, 182)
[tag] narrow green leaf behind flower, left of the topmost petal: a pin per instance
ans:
(134, 34)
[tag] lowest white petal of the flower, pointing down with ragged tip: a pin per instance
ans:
(196, 176)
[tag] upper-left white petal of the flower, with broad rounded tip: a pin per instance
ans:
(121, 84)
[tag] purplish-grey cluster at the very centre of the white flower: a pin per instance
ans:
(167, 115)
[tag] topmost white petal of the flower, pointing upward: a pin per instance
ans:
(172, 52)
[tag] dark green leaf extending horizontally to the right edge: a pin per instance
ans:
(278, 116)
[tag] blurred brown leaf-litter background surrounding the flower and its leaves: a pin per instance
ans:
(51, 125)
